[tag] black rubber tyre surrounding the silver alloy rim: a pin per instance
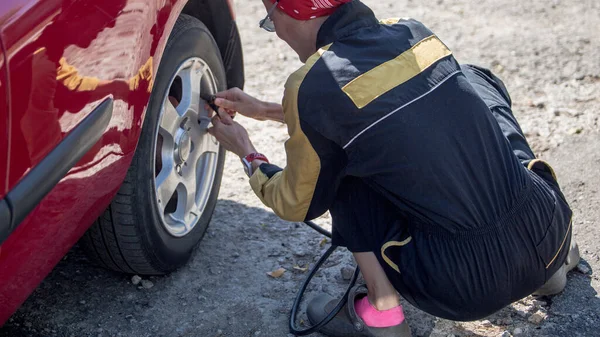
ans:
(132, 236)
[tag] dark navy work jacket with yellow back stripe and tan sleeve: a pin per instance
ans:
(387, 102)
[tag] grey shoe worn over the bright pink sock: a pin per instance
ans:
(347, 323)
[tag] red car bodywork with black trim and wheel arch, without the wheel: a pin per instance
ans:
(64, 148)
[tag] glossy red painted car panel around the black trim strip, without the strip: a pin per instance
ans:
(76, 52)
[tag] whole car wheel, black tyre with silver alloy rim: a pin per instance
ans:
(165, 204)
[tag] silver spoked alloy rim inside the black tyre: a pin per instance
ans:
(186, 155)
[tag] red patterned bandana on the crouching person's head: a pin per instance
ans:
(309, 9)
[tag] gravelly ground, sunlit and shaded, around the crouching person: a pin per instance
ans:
(549, 57)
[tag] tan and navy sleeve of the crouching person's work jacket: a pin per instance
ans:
(306, 187)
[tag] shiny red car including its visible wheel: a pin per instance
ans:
(103, 132)
